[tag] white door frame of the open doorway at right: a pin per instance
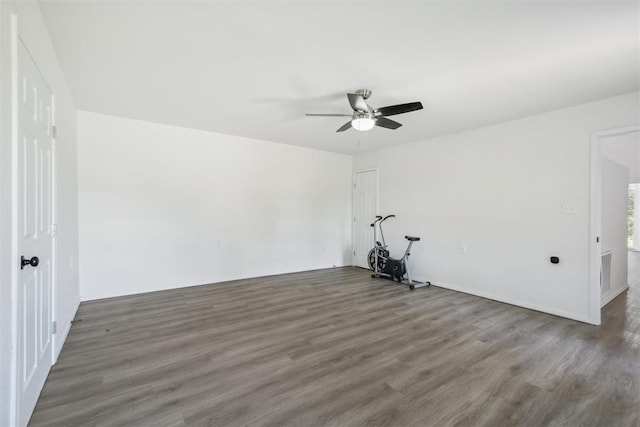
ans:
(595, 216)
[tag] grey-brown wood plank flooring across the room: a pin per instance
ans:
(337, 348)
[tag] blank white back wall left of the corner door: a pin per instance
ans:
(164, 207)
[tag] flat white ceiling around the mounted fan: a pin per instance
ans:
(254, 68)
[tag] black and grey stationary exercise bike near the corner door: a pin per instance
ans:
(391, 268)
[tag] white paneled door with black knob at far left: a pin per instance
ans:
(35, 231)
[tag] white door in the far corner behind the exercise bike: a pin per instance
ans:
(365, 204)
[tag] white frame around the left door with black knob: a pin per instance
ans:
(15, 397)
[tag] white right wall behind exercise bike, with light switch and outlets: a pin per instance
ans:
(498, 191)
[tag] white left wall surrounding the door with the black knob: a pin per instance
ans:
(66, 298)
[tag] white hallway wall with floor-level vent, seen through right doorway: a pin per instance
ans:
(613, 236)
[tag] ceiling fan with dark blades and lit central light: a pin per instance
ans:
(364, 117)
